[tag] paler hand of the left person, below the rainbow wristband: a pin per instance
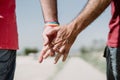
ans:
(49, 34)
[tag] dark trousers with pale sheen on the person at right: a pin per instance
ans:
(113, 63)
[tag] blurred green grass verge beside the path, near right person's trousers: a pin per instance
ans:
(96, 60)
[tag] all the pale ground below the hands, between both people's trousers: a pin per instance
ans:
(75, 69)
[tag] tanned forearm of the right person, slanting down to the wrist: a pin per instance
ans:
(92, 10)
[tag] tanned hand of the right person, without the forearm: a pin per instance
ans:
(64, 40)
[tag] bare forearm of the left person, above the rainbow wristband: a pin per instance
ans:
(49, 8)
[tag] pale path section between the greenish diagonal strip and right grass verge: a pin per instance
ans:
(77, 69)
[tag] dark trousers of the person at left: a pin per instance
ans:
(7, 64)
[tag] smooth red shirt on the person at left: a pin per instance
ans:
(8, 27)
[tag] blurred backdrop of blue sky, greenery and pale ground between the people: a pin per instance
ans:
(86, 56)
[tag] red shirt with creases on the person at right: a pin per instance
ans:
(114, 34)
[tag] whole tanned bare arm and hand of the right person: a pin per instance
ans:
(66, 34)
